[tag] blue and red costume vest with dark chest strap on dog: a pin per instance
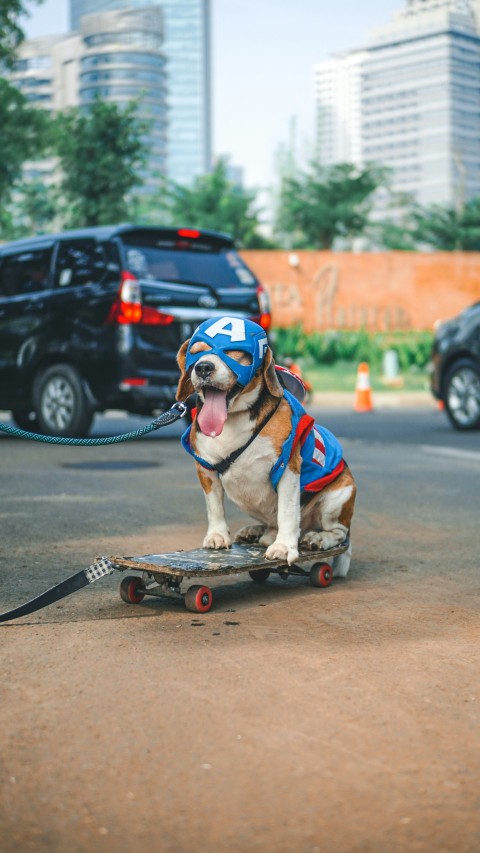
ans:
(321, 452)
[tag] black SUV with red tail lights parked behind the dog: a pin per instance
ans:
(92, 319)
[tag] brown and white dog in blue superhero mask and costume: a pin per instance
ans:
(252, 440)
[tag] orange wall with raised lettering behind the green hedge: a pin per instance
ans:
(380, 292)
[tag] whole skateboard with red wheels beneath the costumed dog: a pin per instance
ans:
(162, 574)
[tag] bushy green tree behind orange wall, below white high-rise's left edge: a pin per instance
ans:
(321, 204)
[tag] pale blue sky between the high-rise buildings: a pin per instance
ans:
(262, 79)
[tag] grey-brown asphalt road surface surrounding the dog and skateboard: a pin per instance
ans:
(286, 720)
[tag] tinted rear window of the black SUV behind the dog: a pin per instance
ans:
(188, 263)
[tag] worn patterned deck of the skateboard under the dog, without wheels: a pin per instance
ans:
(204, 562)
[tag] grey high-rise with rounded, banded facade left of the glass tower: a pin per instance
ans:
(116, 56)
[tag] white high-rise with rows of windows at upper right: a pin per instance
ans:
(414, 101)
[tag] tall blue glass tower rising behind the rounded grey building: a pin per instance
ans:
(187, 50)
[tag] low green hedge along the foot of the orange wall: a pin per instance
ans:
(413, 348)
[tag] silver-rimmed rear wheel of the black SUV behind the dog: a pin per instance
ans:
(61, 402)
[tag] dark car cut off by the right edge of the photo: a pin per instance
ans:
(456, 368)
